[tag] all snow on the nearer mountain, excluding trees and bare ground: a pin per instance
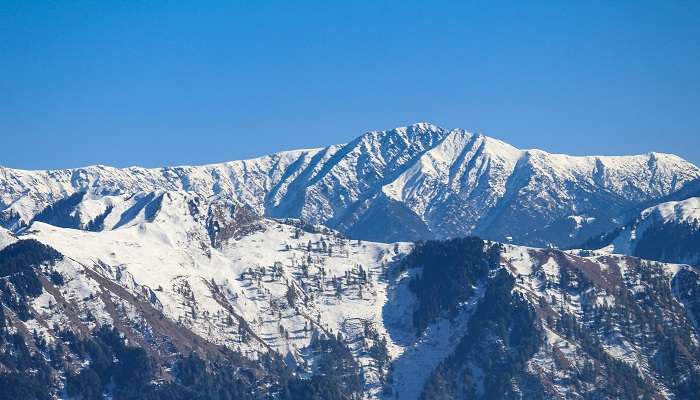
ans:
(170, 262)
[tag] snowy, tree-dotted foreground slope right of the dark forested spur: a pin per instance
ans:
(590, 287)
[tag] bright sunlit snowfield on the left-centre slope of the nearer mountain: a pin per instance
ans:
(171, 256)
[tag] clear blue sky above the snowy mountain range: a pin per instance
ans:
(160, 83)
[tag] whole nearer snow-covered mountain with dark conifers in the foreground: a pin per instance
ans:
(460, 318)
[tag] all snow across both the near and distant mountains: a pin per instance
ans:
(451, 180)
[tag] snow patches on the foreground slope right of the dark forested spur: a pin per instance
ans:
(534, 289)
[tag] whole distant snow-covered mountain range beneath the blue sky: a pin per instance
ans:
(409, 183)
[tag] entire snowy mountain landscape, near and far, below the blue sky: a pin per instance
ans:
(412, 263)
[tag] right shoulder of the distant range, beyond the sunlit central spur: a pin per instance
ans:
(559, 199)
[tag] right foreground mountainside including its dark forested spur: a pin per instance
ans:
(562, 326)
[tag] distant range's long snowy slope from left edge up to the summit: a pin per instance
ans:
(303, 183)
